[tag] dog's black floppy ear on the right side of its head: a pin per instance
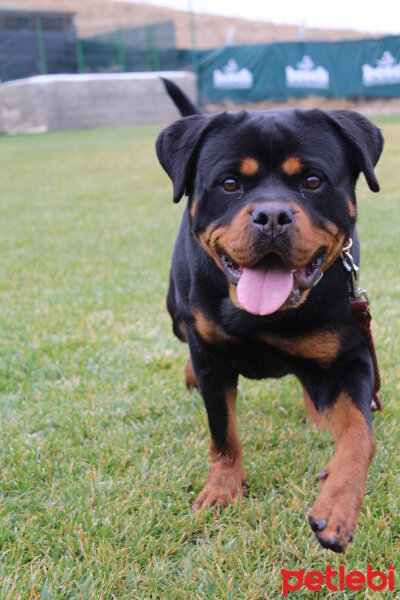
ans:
(365, 140)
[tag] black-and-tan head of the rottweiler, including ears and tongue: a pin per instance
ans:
(271, 194)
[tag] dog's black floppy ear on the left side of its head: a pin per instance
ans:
(177, 147)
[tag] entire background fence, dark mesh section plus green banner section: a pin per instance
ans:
(356, 69)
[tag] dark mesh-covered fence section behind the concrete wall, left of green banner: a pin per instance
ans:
(36, 51)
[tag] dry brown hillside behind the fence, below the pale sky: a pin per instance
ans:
(100, 16)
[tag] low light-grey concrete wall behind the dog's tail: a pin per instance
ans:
(54, 102)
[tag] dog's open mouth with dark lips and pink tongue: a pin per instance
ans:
(265, 287)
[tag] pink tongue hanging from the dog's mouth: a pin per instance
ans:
(262, 290)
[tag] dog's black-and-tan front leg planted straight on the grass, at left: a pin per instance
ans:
(218, 387)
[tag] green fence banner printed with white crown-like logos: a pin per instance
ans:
(355, 69)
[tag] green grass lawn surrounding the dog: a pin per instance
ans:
(102, 448)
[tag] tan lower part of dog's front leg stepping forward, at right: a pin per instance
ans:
(334, 515)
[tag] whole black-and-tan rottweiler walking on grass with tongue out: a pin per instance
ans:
(257, 284)
